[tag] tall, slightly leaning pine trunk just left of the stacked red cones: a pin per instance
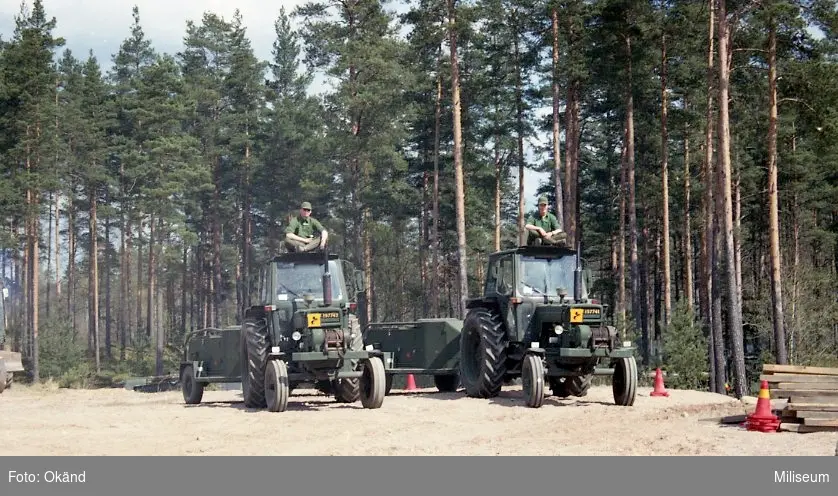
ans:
(734, 308)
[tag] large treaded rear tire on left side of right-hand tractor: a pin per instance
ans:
(483, 353)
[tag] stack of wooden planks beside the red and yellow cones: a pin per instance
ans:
(812, 394)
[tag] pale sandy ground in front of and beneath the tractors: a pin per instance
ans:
(49, 421)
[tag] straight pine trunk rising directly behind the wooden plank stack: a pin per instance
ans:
(773, 208)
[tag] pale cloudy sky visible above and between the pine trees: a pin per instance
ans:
(102, 25)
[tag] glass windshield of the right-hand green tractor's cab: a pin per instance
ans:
(540, 276)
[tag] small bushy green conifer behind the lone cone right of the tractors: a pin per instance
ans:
(684, 350)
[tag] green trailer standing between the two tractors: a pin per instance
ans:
(422, 347)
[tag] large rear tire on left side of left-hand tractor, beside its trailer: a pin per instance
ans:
(254, 357)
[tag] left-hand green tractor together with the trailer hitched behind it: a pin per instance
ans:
(302, 331)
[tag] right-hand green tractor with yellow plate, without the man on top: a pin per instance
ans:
(525, 325)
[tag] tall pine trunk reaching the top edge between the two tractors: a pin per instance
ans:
(458, 162)
